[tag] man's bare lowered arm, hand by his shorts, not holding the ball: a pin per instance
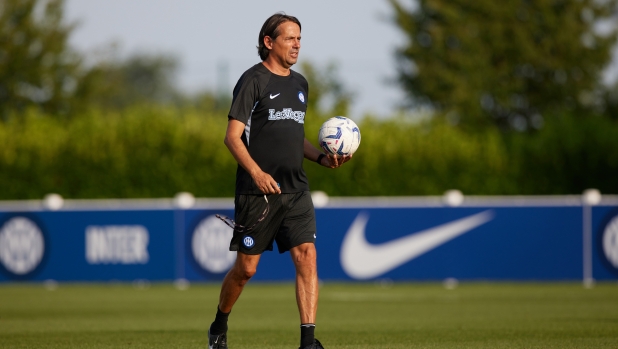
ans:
(234, 143)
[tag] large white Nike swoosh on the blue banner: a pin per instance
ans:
(362, 260)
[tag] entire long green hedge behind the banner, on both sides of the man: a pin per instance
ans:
(147, 152)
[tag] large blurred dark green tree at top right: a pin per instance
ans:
(509, 63)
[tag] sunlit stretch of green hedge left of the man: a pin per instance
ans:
(141, 152)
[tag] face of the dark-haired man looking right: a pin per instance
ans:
(284, 50)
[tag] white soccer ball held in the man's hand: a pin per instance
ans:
(339, 136)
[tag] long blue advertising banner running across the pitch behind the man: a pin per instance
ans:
(355, 241)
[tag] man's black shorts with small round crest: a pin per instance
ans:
(290, 222)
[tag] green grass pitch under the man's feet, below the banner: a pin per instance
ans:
(416, 315)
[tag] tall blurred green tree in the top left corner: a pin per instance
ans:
(37, 67)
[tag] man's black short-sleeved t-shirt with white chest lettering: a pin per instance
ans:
(272, 107)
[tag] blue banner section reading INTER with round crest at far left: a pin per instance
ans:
(86, 245)
